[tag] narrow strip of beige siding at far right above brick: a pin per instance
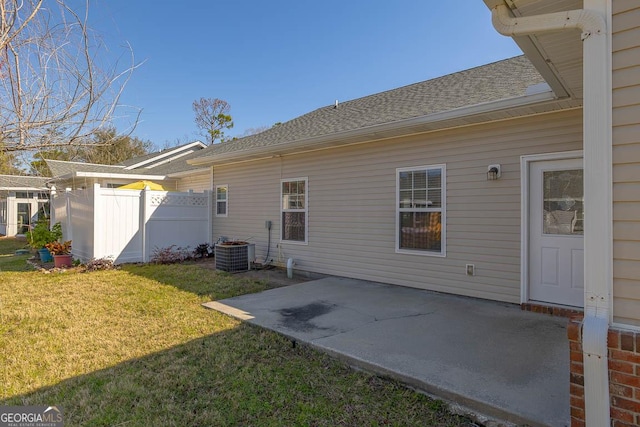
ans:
(626, 162)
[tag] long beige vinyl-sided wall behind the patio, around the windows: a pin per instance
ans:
(352, 205)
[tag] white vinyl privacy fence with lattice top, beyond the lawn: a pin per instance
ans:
(128, 225)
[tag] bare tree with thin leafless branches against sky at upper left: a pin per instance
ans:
(56, 88)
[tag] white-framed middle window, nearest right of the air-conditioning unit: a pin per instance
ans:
(294, 210)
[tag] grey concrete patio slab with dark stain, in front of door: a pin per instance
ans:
(492, 358)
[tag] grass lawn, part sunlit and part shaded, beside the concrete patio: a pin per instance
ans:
(134, 347)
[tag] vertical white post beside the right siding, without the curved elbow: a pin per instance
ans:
(598, 233)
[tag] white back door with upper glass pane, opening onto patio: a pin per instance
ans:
(556, 228)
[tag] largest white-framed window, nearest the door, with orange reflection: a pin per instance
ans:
(421, 210)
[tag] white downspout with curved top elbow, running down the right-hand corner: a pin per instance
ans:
(598, 255)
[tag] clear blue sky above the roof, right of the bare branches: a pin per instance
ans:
(275, 60)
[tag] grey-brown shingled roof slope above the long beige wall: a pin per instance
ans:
(500, 80)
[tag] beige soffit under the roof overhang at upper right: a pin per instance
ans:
(541, 50)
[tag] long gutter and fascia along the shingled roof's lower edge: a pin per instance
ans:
(373, 132)
